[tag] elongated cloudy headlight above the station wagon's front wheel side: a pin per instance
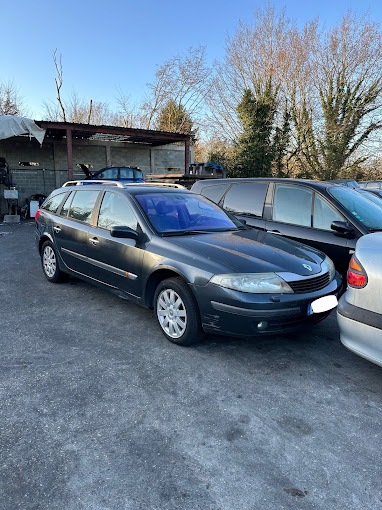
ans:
(254, 283)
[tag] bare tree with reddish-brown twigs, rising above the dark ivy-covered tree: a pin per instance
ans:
(254, 55)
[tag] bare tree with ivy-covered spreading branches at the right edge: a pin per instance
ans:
(346, 81)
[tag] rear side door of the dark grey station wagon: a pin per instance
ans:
(71, 226)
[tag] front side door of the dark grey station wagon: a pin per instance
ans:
(115, 261)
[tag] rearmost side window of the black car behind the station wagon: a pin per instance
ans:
(246, 201)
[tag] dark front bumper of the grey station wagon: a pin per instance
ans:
(225, 311)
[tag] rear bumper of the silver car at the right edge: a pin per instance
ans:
(360, 331)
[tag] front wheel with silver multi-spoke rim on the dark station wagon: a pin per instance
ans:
(177, 312)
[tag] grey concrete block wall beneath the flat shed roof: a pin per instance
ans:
(52, 170)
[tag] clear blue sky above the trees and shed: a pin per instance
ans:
(116, 45)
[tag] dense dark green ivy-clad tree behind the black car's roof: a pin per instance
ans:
(261, 147)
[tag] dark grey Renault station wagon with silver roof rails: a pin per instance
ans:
(198, 267)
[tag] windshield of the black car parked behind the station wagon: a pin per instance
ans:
(365, 211)
